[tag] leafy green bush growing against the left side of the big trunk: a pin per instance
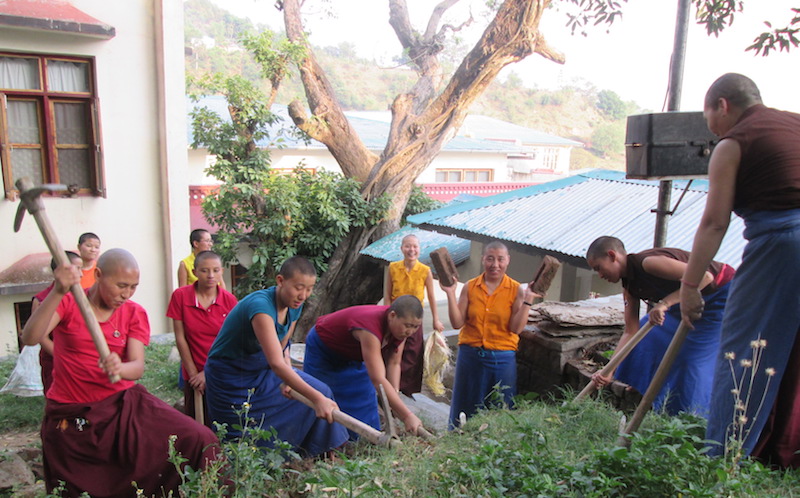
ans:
(275, 216)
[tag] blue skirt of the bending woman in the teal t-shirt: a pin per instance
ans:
(229, 384)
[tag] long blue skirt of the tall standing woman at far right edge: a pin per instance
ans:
(764, 303)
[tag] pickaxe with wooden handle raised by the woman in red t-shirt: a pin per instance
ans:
(30, 199)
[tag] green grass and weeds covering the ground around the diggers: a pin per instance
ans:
(539, 449)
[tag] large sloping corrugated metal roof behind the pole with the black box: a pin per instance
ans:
(565, 216)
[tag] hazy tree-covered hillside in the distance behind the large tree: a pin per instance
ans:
(595, 118)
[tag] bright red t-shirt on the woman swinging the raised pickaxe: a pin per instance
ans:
(77, 378)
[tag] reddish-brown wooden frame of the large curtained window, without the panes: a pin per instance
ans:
(46, 100)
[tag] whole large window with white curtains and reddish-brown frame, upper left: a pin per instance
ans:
(48, 123)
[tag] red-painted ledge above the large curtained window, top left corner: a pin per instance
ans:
(52, 15)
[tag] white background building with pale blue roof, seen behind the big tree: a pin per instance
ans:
(487, 156)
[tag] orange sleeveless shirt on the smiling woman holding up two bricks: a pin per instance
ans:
(488, 315)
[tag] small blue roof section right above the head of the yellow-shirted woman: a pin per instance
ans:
(388, 248)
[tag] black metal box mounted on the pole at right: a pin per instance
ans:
(668, 145)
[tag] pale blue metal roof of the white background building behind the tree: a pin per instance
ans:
(373, 133)
